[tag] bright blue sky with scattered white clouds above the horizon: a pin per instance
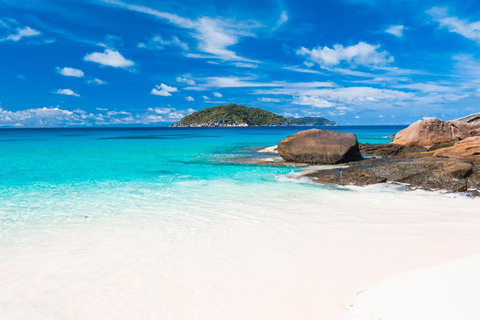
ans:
(145, 62)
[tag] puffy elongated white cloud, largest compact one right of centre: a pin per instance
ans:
(360, 54)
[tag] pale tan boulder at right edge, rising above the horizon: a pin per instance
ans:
(430, 131)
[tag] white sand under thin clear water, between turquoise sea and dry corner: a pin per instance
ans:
(265, 252)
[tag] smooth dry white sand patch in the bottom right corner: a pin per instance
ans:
(445, 292)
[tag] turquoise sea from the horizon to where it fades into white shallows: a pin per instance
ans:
(51, 175)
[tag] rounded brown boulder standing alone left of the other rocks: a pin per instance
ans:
(316, 146)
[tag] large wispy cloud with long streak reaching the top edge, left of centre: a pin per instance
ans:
(214, 35)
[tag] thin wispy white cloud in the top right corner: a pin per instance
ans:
(470, 30)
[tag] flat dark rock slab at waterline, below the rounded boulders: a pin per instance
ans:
(428, 175)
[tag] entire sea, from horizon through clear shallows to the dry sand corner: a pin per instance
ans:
(160, 223)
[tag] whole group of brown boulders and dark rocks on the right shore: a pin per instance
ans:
(430, 154)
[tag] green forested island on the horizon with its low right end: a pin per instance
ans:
(234, 115)
